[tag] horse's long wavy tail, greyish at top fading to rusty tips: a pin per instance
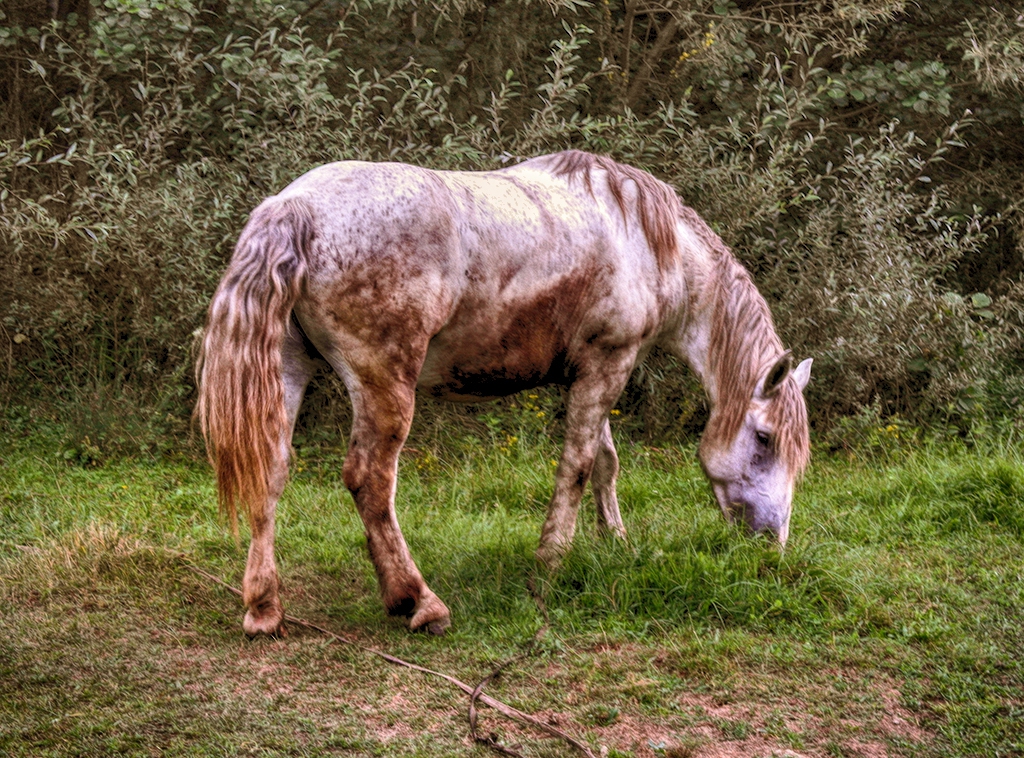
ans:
(241, 405)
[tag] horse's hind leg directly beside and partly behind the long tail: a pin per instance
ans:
(265, 614)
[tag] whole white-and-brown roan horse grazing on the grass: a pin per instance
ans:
(565, 270)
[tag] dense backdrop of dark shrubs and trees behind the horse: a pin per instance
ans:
(864, 159)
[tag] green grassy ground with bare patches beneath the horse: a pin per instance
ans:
(892, 624)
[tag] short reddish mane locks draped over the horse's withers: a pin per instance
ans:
(658, 205)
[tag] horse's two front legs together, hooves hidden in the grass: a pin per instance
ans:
(590, 399)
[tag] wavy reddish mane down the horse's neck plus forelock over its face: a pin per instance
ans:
(744, 347)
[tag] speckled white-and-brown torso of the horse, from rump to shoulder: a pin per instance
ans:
(510, 275)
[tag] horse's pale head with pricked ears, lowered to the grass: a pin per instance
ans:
(755, 455)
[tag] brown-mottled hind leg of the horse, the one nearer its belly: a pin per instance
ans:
(382, 419)
